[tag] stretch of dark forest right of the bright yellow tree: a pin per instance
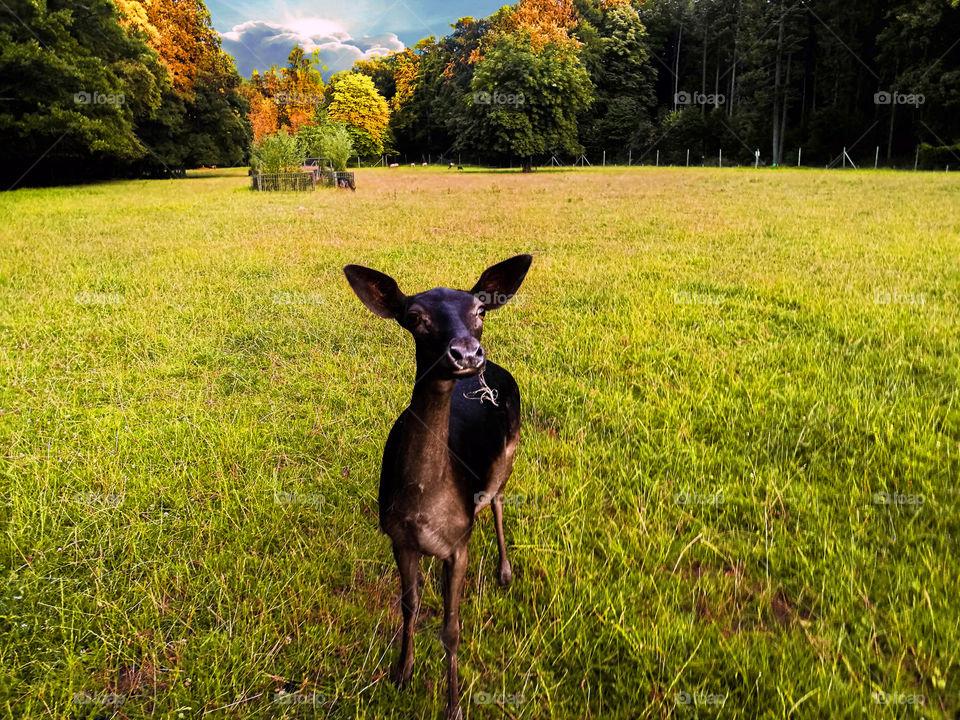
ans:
(683, 80)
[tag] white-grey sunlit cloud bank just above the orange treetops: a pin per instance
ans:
(259, 44)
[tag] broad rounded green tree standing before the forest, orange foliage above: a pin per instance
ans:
(525, 103)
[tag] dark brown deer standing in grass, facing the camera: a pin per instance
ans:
(451, 451)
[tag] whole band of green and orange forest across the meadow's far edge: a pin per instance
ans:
(136, 88)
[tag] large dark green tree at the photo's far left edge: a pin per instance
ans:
(75, 85)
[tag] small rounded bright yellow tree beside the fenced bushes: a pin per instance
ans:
(355, 102)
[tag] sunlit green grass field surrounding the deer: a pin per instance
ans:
(736, 493)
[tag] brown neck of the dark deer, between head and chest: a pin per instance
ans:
(428, 430)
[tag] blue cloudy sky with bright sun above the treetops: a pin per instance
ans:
(259, 34)
